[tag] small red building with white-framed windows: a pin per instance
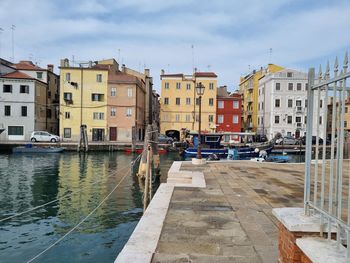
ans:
(228, 111)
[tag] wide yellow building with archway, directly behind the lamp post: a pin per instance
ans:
(179, 102)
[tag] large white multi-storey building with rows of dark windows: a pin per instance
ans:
(282, 104)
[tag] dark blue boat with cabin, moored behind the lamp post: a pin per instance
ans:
(210, 145)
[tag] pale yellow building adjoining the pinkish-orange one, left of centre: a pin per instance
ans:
(83, 100)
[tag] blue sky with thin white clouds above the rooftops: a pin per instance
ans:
(229, 37)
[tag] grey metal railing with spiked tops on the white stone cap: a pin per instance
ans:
(326, 189)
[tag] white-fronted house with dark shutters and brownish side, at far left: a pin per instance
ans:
(24, 101)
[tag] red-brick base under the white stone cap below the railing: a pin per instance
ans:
(289, 252)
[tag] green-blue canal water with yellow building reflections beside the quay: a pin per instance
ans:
(78, 183)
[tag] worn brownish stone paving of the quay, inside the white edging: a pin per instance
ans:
(230, 220)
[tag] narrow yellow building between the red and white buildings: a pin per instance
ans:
(248, 87)
